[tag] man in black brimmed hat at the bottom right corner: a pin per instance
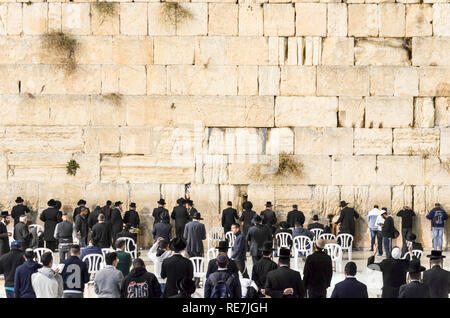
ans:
(436, 278)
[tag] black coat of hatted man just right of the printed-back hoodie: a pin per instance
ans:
(174, 268)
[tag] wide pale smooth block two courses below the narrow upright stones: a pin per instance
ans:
(306, 111)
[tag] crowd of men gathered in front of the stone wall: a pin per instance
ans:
(87, 233)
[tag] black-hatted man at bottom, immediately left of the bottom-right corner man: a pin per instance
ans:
(414, 289)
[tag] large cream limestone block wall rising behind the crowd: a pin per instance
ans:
(172, 100)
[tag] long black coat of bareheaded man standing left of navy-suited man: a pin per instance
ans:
(318, 271)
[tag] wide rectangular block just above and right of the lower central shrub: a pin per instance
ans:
(323, 141)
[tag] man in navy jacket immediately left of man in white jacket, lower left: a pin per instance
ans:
(22, 278)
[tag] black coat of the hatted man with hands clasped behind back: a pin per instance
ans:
(280, 279)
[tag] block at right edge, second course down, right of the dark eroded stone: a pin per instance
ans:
(431, 51)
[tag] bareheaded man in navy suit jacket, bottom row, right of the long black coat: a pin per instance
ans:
(350, 287)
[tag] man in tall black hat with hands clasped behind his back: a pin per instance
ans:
(284, 282)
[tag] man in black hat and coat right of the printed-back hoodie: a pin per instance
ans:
(176, 267)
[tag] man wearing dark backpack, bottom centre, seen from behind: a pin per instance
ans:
(222, 284)
